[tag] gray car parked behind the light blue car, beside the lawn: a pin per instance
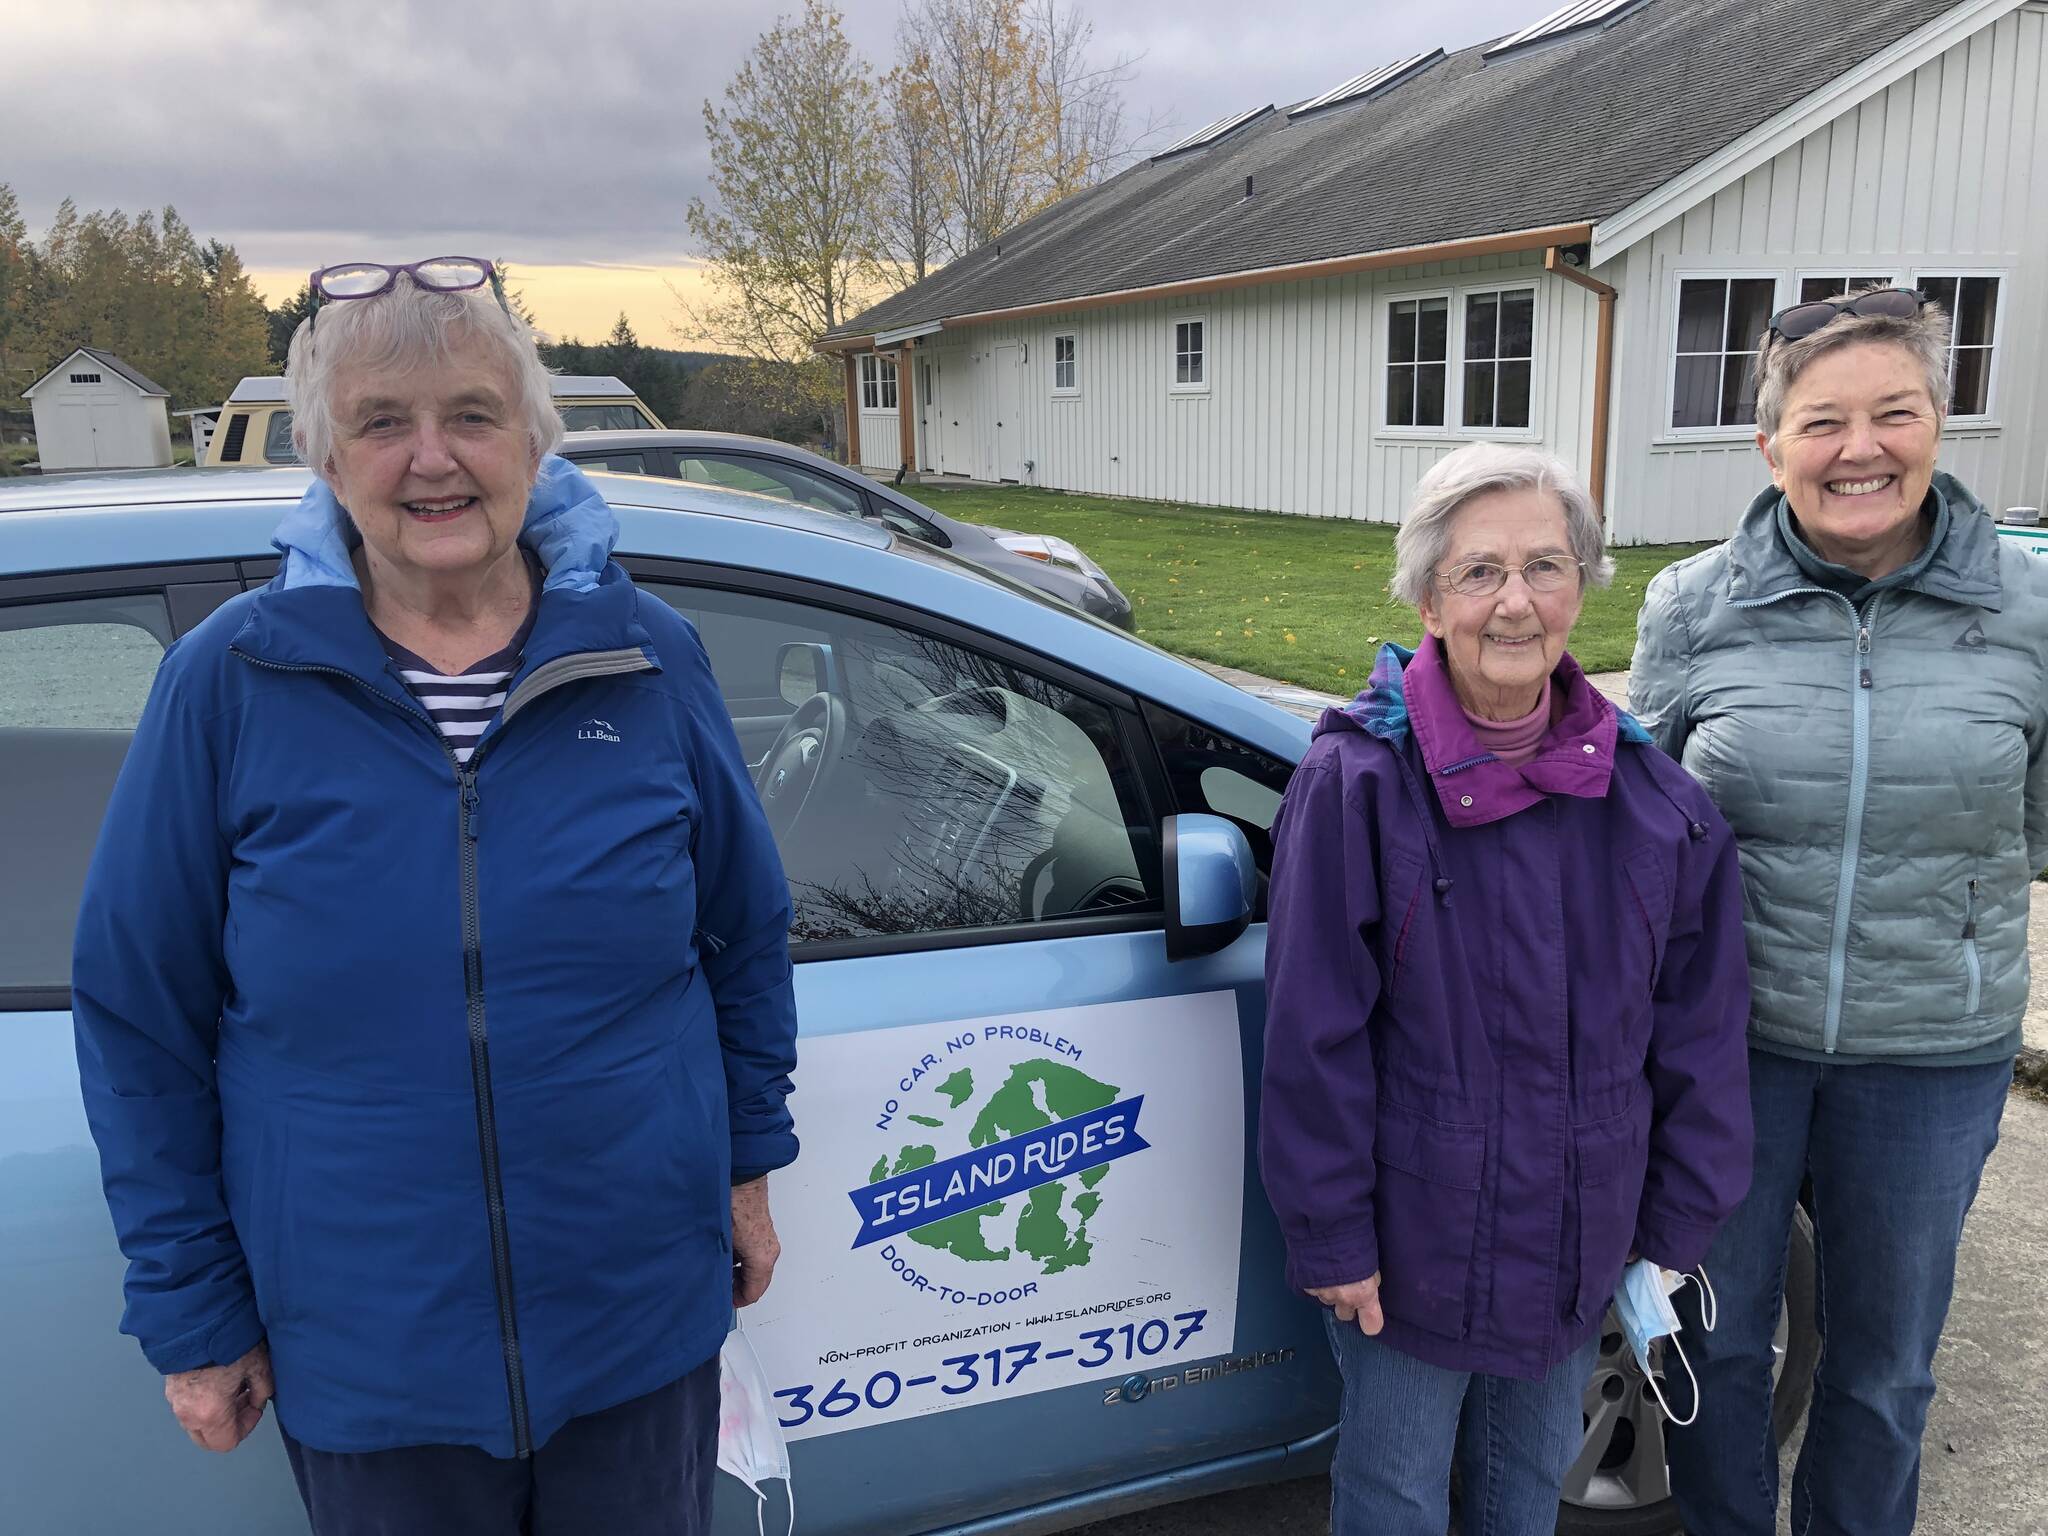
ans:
(773, 468)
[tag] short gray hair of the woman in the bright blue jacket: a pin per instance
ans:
(404, 329)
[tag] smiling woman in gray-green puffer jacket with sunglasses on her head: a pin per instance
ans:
(1861, 683)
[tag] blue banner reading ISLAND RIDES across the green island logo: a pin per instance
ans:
(976, 1179)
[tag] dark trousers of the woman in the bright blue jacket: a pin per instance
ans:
(638, 1469)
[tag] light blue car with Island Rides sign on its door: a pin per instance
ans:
(1029, 1275)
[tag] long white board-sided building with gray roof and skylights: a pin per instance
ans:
(1570, 237)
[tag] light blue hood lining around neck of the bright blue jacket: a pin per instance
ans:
(568, 527)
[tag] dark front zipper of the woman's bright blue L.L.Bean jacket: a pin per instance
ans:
(480, 1060)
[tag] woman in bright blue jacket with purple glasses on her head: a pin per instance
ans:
(433, 984)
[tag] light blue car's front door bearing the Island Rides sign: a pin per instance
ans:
(1025, 1213)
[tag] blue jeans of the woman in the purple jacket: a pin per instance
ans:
(1404, 1422)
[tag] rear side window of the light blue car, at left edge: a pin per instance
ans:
(75, 675)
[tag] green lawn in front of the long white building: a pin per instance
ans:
(1293, 599)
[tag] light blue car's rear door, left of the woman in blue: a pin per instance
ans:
(79, 1404)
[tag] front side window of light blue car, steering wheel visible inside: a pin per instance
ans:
(962, 792)
